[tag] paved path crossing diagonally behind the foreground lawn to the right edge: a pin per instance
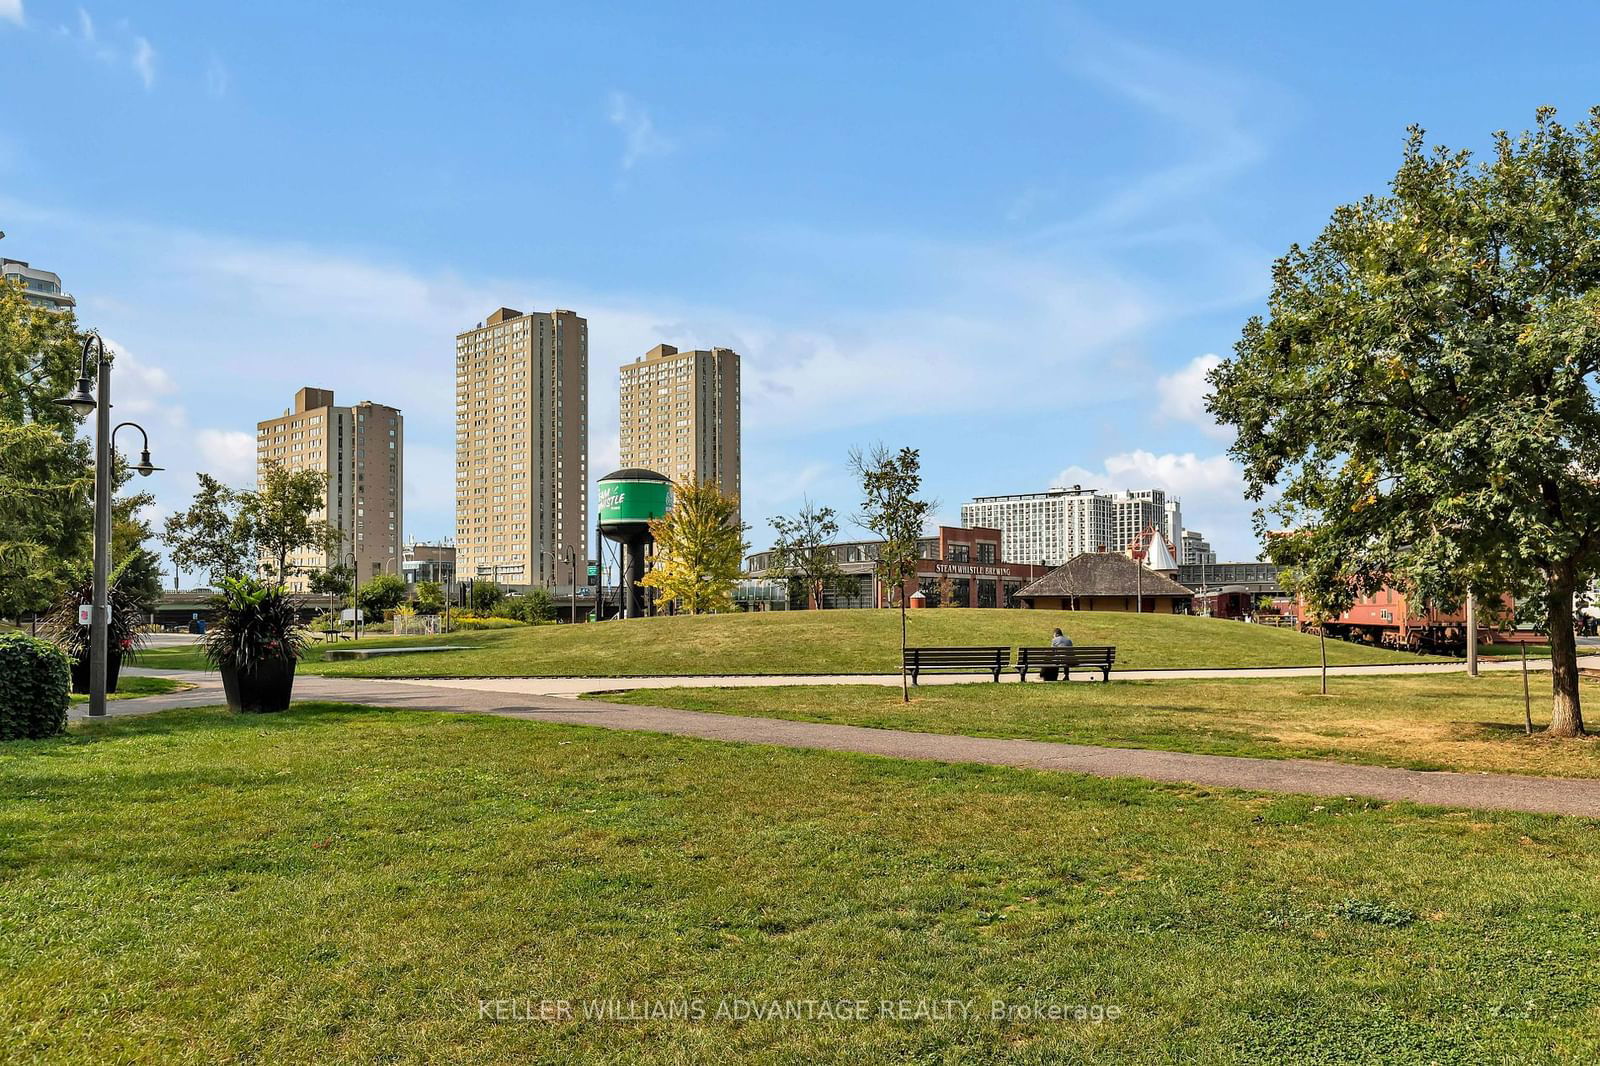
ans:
(1484, 791)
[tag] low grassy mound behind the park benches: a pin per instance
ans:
(844, 643)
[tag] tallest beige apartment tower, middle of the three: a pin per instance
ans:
(522, 449)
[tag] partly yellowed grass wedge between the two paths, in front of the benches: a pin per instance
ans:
(1425, 723)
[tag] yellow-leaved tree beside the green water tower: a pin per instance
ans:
(700, 548)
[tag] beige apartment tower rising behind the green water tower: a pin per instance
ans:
(681, 415)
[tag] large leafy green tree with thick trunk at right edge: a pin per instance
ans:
(1423, 390)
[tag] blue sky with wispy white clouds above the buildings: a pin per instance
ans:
(1006, 234)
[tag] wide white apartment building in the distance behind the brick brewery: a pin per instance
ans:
(1062, 524)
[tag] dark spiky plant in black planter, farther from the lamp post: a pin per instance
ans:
(254, 641)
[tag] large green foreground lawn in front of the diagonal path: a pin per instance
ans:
(342, 884)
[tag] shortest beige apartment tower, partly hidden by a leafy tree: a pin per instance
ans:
(361, 451)
